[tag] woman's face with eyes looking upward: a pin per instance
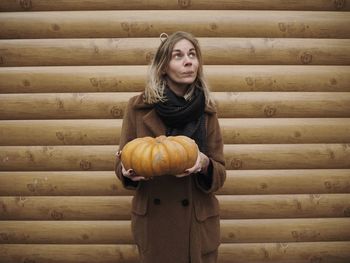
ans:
(183, 66)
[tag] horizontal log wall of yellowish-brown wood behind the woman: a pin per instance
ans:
(279, 71)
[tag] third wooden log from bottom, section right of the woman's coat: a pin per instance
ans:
(284, 206)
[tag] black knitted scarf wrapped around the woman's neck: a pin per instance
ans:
(184, 117)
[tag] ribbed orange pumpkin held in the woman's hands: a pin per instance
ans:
(158, 156)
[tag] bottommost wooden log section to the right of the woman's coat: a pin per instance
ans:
(300, 252)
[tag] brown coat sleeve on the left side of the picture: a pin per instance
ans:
(128, 133)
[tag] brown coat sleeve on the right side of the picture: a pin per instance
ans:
(215, 151)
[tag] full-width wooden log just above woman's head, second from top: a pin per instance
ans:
(151, 23)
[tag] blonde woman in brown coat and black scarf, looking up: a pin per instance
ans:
(175, 218)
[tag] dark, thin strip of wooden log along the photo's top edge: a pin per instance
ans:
(42, 5)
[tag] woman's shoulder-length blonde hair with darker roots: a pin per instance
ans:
(154, 91)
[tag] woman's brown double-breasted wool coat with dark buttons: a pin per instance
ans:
(174, 220)
